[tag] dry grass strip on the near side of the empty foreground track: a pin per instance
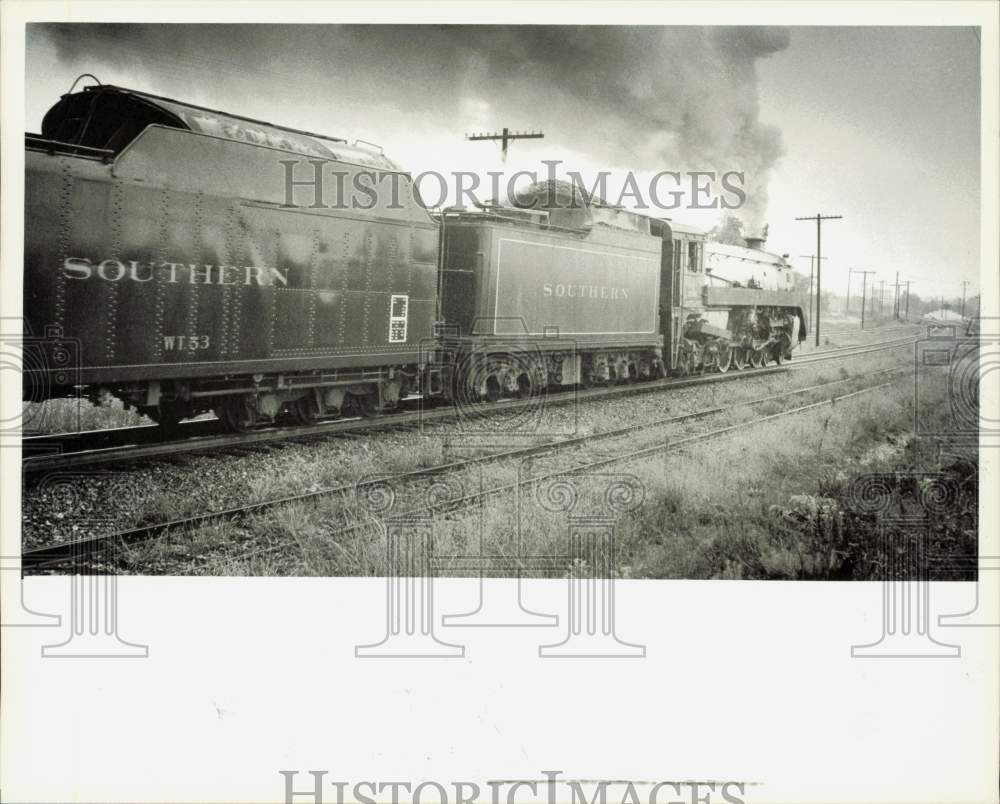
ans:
(753, 504)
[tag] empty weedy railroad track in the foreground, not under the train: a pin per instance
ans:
(79, 552)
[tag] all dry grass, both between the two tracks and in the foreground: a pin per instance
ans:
(752, 504)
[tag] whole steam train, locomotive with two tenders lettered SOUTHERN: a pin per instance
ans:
(164, 265)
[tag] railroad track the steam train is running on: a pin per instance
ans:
(73, 450)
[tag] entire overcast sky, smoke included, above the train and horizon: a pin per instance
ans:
(880, 125)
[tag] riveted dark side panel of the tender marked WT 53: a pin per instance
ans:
(161, 274)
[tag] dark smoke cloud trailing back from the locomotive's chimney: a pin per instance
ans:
(645, 98)
